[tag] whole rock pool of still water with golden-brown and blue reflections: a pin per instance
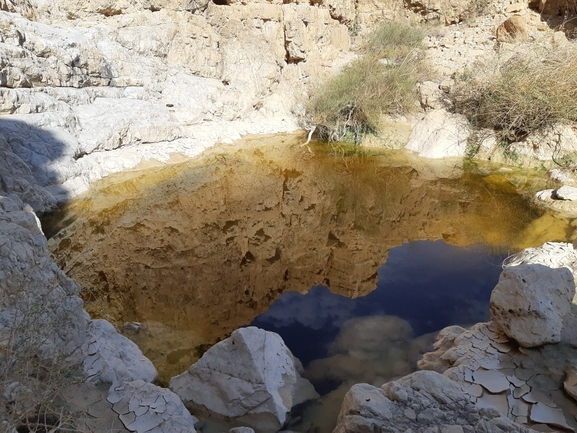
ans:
(354, 257)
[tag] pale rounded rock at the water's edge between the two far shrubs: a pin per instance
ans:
(440, 135)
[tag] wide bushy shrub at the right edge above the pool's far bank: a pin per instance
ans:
(522, 97)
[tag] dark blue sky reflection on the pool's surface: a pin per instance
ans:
(429, 284)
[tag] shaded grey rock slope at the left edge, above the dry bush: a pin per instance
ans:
(34, 291)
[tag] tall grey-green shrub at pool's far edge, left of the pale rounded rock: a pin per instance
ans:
(381, 81)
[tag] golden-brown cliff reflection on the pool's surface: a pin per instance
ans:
(198, 249)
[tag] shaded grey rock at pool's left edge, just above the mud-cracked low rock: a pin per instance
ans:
(112, 358)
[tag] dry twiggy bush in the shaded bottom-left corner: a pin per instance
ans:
(31, 382)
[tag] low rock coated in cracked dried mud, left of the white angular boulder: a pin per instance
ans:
(144, 407)
